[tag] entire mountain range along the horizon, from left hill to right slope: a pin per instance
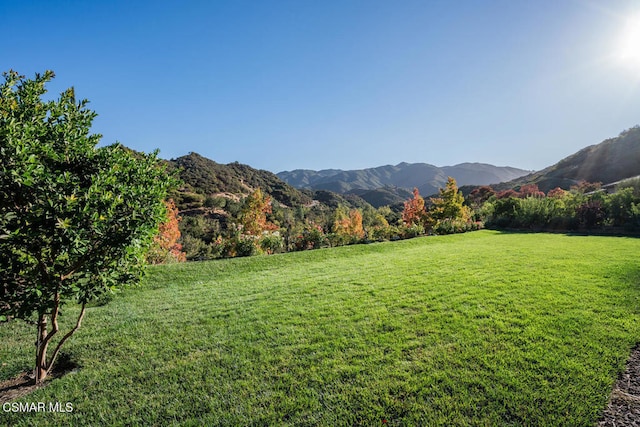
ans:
(612, 160)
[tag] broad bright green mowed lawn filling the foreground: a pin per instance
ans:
(484, 328)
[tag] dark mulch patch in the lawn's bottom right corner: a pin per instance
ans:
(623, 409)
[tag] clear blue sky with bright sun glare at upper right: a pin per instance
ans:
(282, 85)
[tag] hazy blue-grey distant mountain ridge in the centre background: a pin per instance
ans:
(427, 178)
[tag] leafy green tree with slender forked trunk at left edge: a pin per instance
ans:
(75, 219)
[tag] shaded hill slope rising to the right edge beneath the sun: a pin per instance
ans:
(612, 160)
